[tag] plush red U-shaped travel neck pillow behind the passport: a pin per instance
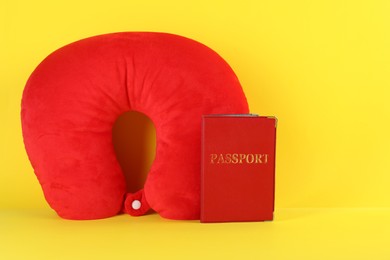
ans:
(73, 98)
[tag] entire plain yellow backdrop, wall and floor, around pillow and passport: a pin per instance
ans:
(321, 67)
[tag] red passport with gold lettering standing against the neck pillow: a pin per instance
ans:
(238, 168)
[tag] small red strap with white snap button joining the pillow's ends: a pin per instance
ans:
(135, 204)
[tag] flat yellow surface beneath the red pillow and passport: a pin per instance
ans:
(295, 234)
